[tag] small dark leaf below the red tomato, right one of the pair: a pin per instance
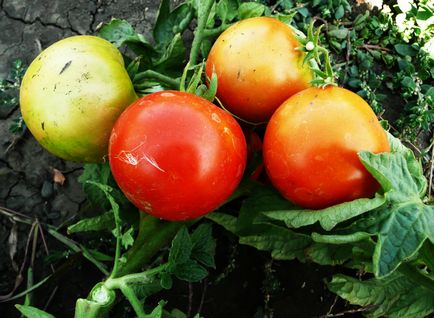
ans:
(203, 245)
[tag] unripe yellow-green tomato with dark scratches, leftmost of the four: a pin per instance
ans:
(72, 94)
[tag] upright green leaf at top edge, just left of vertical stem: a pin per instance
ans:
(170, 23)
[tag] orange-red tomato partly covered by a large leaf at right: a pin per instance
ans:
(311, 145)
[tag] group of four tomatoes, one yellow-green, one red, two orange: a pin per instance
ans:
(178, 156)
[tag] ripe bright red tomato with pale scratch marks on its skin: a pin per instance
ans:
(177, 156)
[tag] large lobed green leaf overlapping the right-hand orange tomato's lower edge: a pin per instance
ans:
(404, 222)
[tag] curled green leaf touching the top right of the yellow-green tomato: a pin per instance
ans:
(120, 32)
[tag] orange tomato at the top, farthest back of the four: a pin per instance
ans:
(259, 65)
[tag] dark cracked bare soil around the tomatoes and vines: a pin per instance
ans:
(246, 283)
